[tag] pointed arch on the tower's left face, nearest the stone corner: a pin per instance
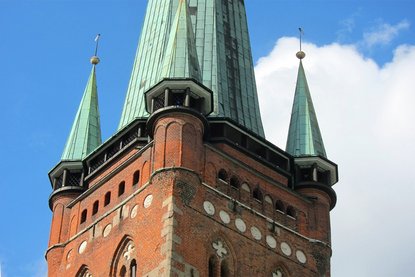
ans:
(124, 259)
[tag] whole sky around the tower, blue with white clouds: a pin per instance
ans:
(45, 48)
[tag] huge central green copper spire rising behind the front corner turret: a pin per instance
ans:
(219, 33)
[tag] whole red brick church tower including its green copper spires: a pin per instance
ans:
(188, 186)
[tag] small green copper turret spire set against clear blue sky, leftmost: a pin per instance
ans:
(85, 134)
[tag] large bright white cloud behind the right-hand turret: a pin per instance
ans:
(366, 117)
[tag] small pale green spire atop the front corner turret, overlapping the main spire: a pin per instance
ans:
(180, 58)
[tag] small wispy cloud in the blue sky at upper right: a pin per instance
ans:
(384, 33)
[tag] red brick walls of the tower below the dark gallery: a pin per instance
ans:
(181, 219)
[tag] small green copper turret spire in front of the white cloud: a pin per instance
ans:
(304, 137)
